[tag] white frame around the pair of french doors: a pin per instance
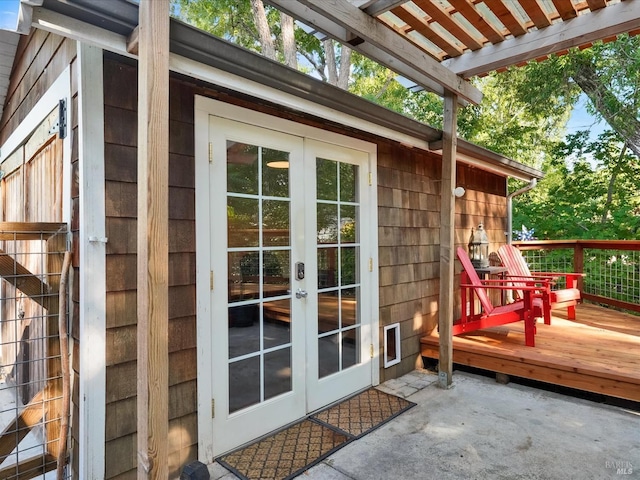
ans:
(204, 107)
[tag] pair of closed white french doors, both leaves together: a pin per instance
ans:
(291, 319)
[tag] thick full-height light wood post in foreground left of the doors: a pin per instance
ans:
(153, 256)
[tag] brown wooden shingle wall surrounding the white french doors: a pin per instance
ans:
(409, 229)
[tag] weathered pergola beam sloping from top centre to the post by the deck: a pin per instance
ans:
(341, 20)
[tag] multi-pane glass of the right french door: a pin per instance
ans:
(338, 254)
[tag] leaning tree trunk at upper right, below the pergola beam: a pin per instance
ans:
(620, 117)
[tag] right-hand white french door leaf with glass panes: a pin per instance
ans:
(339, 340)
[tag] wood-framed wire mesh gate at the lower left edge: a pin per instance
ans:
(30, 362)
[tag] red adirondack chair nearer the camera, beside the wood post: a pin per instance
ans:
(524, 309)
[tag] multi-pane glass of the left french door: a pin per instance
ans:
(259, 274)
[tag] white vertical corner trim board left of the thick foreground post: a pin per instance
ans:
(92, 243)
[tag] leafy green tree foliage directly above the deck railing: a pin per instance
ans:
(589, 191)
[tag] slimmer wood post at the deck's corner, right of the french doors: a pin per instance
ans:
(447, 239)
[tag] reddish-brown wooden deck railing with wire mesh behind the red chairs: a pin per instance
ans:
(611, 267)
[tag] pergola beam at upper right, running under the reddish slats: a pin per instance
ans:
(591, 27)
